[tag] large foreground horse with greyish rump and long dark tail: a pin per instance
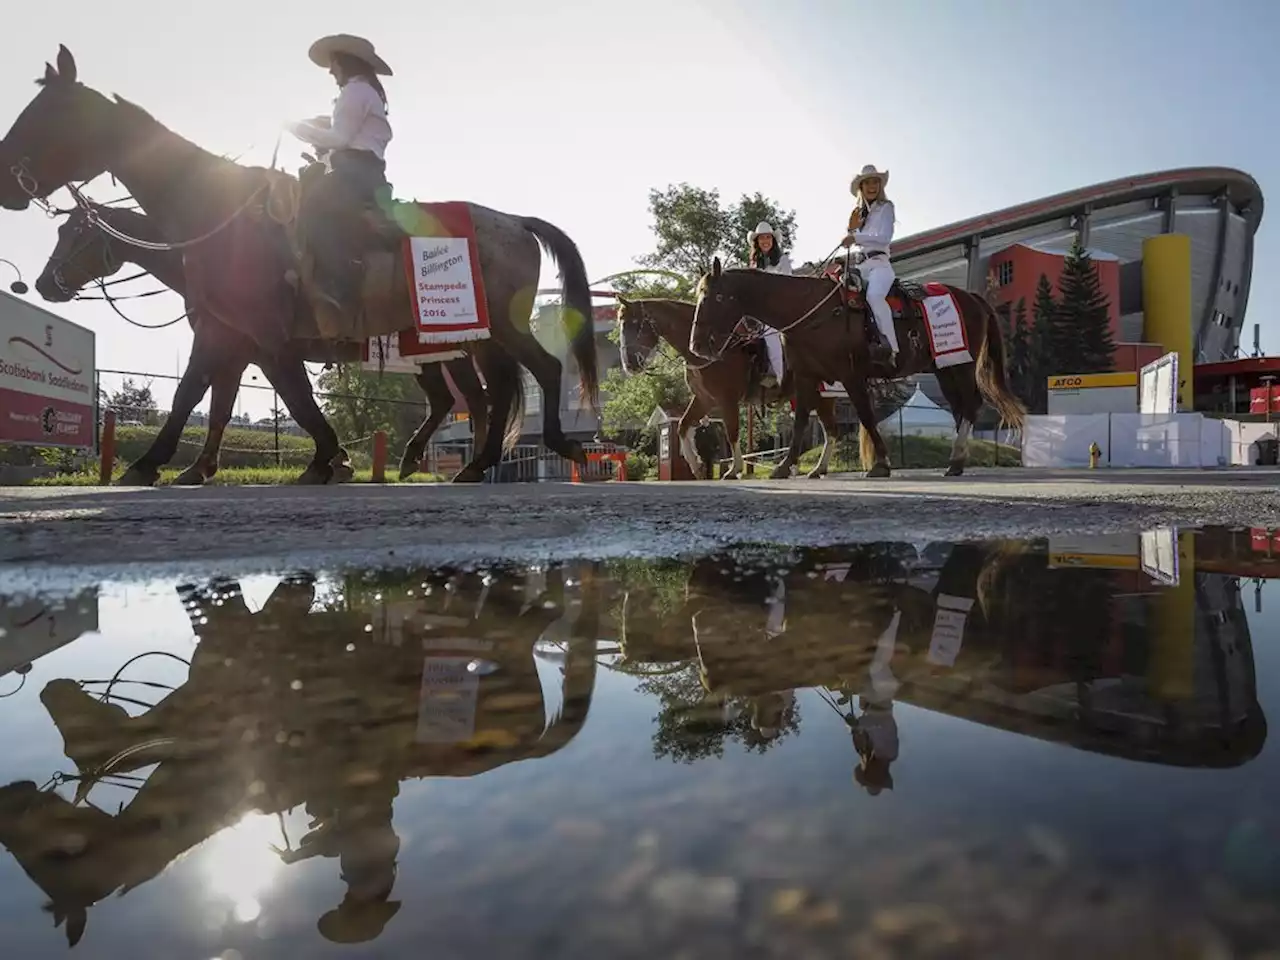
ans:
(239, 257)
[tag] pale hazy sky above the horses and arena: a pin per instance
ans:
(572, 111)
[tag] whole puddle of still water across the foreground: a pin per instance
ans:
(977, 749)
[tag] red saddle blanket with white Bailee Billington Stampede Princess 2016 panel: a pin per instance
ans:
(444, 263)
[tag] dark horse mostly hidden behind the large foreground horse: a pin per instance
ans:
(88, 254)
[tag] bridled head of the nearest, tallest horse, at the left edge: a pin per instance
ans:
(65, 135)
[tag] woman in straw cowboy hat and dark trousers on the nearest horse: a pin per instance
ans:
(354, 141)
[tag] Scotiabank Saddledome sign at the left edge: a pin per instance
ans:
(47, 378)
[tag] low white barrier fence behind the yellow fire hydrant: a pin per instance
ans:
(1142, 441)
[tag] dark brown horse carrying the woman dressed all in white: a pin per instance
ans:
(828, 340)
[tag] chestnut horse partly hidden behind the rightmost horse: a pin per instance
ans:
(719, 385)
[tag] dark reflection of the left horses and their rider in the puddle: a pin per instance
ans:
(282, 710)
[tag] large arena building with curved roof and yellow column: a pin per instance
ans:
(1148, 234)
